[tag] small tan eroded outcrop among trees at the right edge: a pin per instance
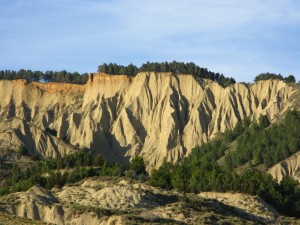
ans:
(287, 167)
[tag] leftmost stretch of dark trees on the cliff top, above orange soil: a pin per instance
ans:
(48, 76)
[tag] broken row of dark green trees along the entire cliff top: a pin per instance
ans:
(132, 70)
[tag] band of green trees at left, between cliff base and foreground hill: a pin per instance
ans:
(75, 167)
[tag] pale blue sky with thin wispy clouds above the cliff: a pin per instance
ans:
(238, 38)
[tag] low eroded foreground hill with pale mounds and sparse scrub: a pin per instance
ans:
(123, 201)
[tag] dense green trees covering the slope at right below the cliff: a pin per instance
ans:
(201, 171)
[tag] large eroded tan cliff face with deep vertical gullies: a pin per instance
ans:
(160, 116)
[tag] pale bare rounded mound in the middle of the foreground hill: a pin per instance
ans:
(119, 196)
